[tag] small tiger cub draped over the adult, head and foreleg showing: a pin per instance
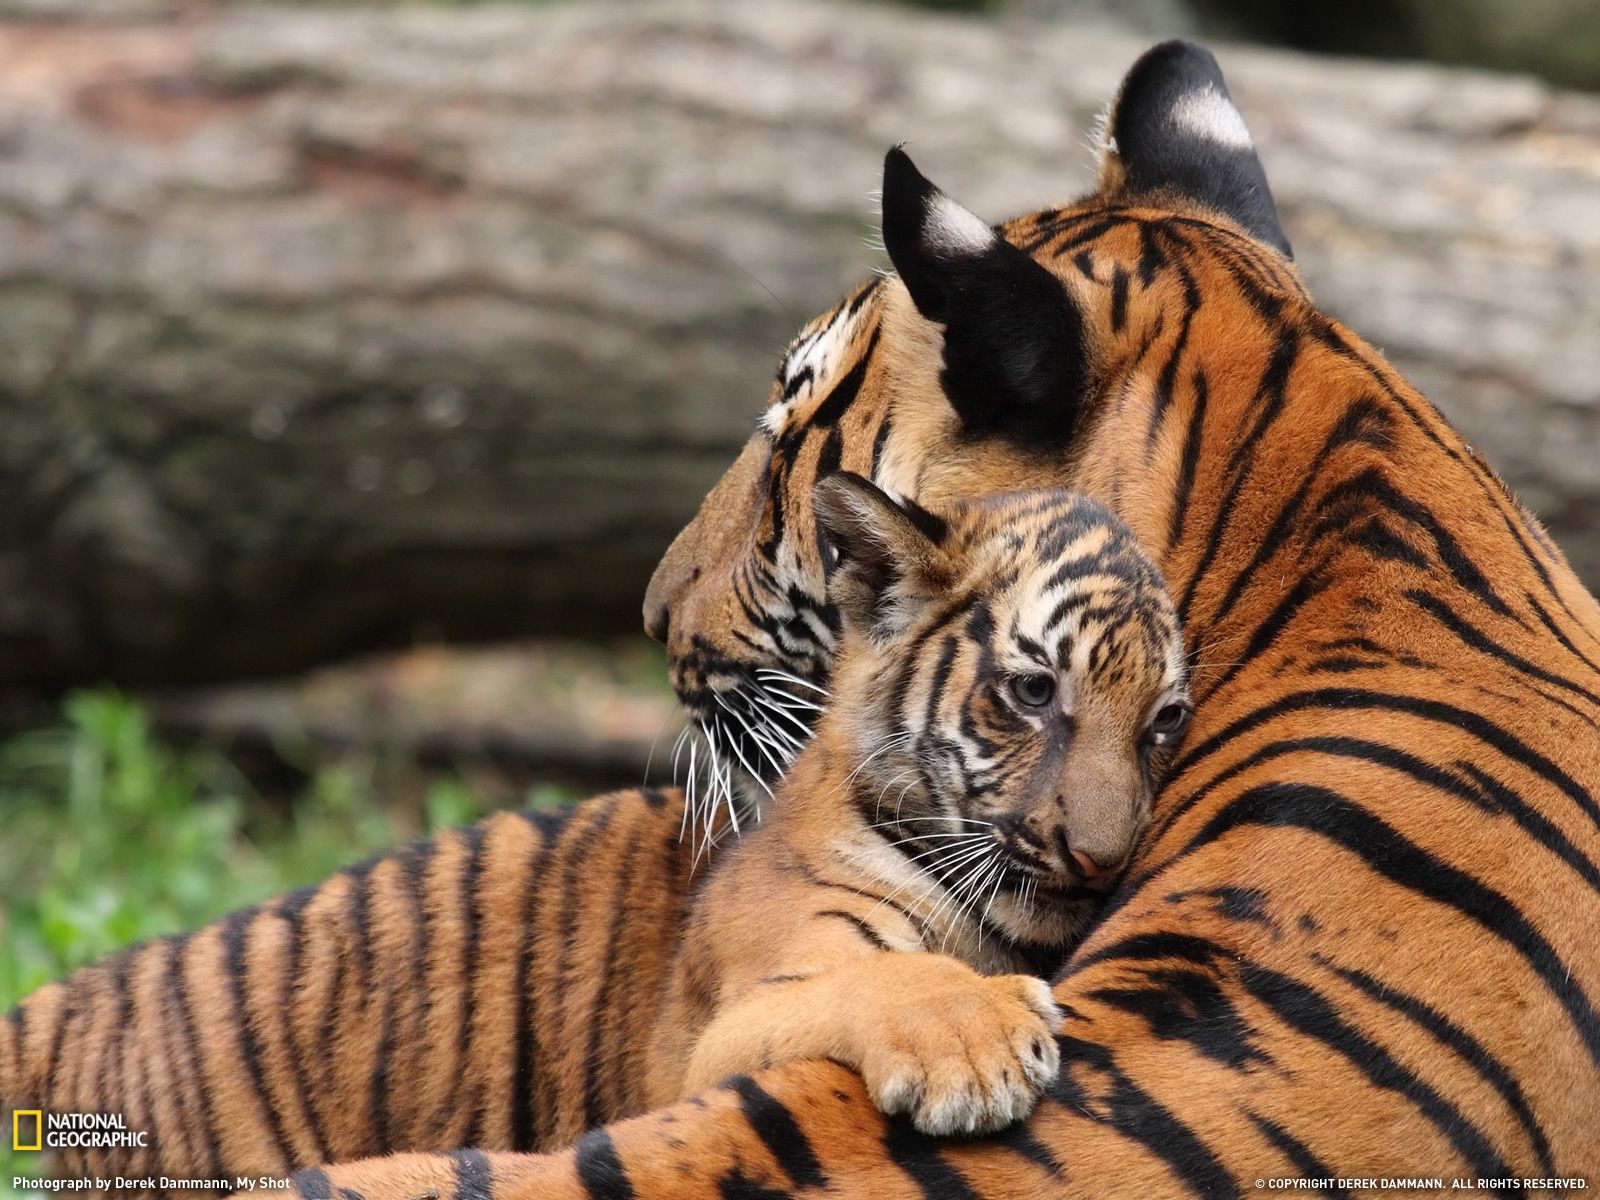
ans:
(1009, 676)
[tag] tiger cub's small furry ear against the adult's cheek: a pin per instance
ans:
(890, 558)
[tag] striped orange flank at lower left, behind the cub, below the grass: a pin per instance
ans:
(476, 988)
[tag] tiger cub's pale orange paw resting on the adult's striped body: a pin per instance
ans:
(967, 1057)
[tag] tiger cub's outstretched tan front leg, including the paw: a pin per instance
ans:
(932, 1038)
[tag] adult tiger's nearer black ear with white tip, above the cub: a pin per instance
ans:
(1014, 340)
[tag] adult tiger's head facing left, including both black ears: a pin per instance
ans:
(991, 361)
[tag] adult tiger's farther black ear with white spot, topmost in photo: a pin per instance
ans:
(1174, 129)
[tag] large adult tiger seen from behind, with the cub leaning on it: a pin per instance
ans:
(1359, 938)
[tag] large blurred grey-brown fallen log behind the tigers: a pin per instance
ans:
(324, 330)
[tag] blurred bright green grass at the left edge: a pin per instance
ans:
(110, 838)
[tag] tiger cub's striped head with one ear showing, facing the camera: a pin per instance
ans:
(1010, 670)
